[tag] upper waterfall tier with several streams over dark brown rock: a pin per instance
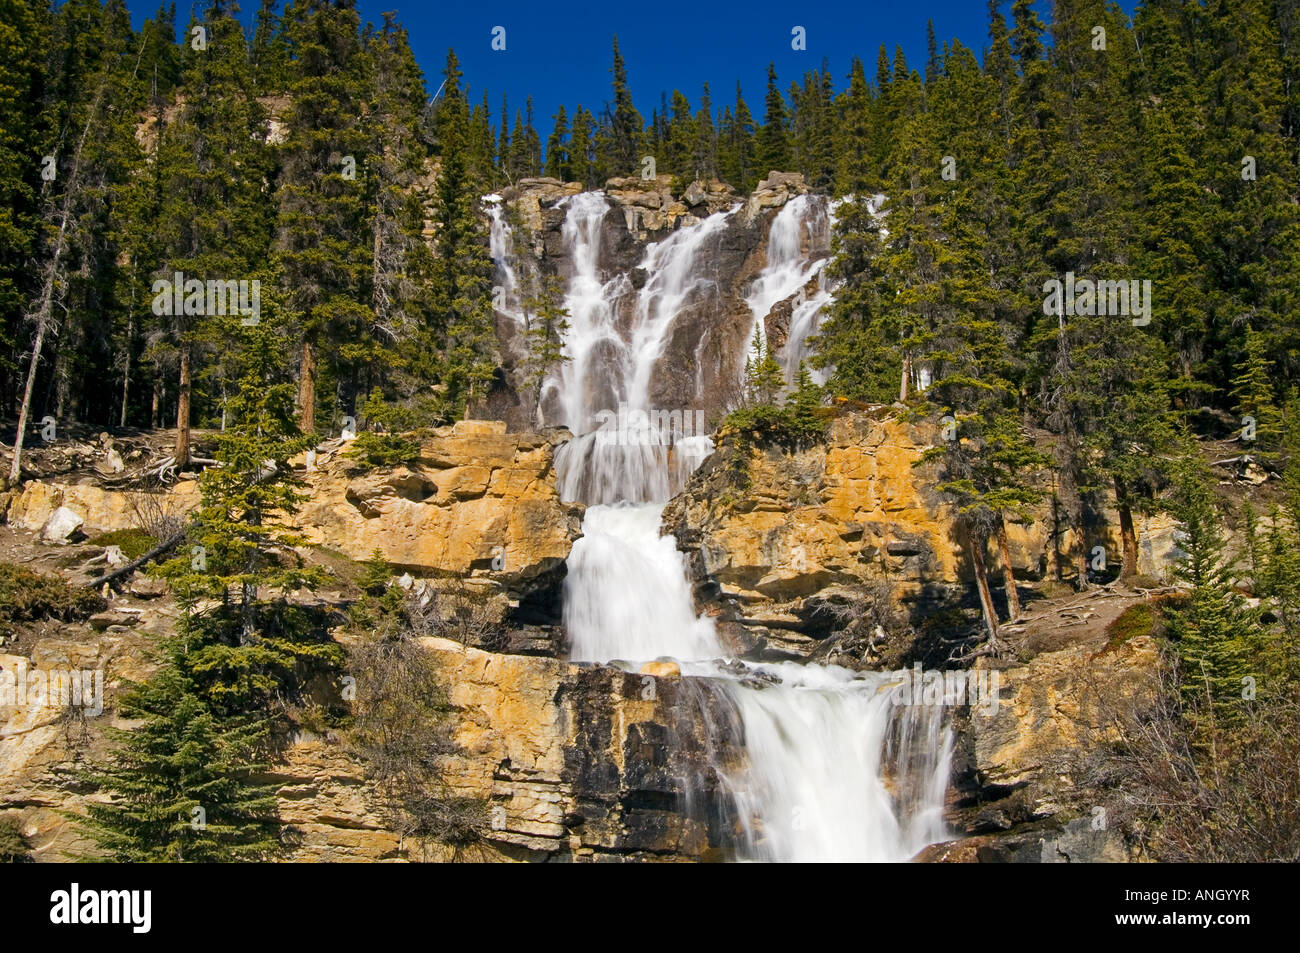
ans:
(662, 300)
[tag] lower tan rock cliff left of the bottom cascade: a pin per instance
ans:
(578, 764)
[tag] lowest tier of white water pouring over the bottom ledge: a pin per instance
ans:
(837, 770)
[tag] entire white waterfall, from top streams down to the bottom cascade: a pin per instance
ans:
(835, 769)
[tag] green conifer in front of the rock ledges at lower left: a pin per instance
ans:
(184, 785)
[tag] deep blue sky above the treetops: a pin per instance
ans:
(561, 53)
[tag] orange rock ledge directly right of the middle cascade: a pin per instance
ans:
(826, 527)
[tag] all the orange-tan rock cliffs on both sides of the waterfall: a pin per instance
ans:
(591, 763)
